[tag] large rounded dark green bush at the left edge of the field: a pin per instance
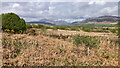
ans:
(12, 21)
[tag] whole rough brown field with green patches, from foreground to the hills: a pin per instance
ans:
(81, 45)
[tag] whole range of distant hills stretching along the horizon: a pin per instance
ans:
(96, 20)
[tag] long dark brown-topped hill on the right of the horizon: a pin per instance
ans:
(99, 19)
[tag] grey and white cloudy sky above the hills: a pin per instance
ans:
(34, 11)
